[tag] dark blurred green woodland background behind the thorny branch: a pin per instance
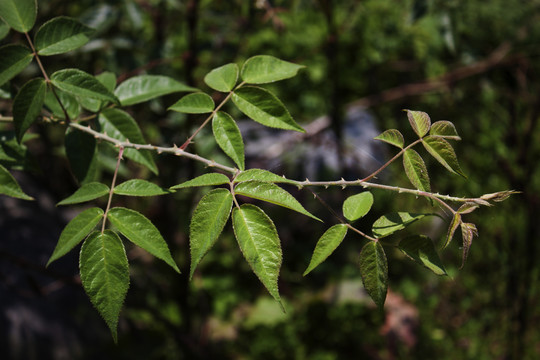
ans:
(475, 63)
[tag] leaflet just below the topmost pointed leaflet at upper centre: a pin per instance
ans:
(262, 106)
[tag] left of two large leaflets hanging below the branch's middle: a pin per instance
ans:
(207, 223)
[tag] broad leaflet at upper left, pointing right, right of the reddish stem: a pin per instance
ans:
(60, 35)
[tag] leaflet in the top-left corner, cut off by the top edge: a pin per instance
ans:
(19, 14)
